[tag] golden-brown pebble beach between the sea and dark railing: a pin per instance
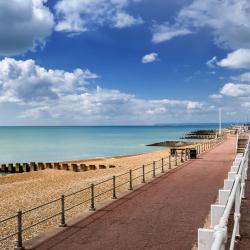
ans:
(28, 190)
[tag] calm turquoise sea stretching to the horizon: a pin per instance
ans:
(25, 144)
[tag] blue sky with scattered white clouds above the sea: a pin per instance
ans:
(124, 62)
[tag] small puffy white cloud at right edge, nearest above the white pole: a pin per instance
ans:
(236, 90)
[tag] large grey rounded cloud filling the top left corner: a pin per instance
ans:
(24, 25)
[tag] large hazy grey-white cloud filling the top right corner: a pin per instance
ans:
(228, 21)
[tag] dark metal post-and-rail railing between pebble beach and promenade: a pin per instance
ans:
(64, 204)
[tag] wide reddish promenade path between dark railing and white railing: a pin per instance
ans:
(164, 214)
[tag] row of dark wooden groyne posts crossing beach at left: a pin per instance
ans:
(33, 166)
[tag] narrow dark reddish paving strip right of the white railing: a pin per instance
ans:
(244, 244)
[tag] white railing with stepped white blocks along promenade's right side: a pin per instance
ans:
(231, 195)
